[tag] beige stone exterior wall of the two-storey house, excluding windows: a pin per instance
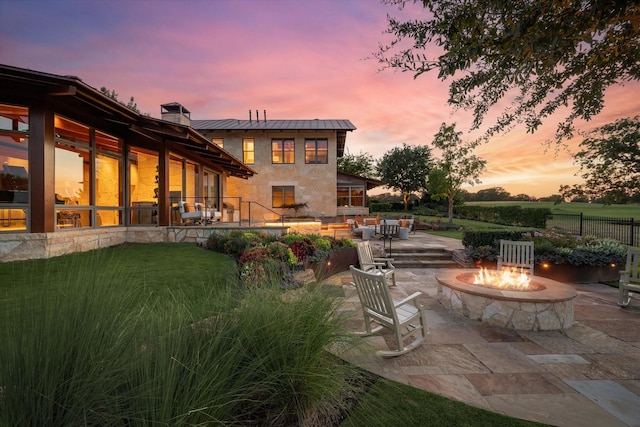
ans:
(315, 184)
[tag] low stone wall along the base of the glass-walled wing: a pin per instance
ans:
(24, 246)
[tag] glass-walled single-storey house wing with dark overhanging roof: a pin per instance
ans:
(79, 170)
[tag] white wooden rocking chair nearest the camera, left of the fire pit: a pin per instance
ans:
(405, 317)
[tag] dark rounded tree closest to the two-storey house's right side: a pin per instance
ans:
(405, 169)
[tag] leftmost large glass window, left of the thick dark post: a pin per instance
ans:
(14, 167)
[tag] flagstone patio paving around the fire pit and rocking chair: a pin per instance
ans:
(587, 375)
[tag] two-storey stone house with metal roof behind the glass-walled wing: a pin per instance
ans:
(295, 160)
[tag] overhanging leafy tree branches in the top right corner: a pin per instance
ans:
(538, 55)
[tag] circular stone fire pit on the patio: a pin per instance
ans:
(548, 305)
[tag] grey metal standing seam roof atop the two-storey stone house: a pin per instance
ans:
(235, 124)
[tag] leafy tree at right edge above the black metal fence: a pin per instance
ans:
(609, 158)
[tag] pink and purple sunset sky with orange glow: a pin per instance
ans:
(297, 59)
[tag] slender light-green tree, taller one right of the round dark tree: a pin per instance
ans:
(455, 167)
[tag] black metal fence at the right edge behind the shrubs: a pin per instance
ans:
(625, 230)
